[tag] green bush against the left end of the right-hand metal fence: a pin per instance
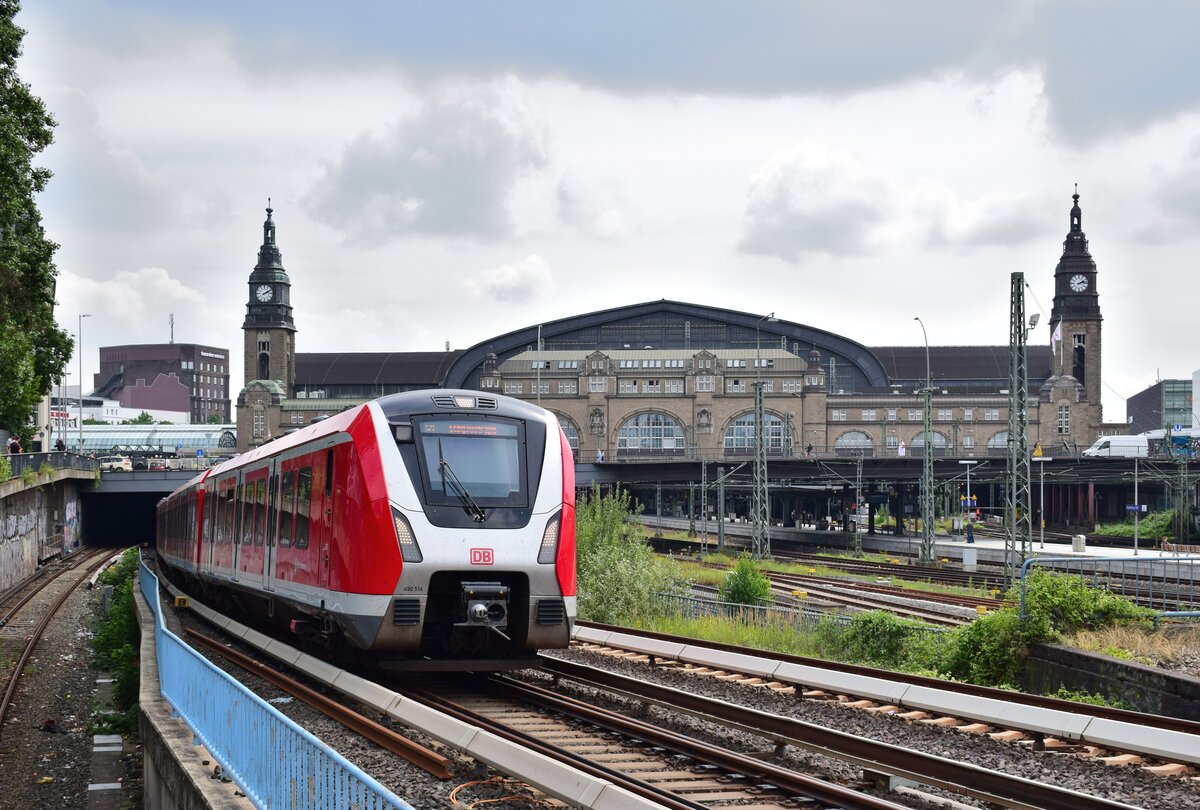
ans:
(1070, 605)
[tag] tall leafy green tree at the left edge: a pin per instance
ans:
(34, 351)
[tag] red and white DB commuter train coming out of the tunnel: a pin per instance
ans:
(431, 530)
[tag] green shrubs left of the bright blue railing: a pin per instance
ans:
(117, 640)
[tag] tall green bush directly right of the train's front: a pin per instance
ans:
(619, 574)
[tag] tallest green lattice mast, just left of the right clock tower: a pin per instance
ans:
(1019, 526)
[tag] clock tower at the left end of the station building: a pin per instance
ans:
(269, 329)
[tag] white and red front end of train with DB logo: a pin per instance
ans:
(482, 490)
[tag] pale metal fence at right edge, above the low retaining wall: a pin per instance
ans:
(1168, 585)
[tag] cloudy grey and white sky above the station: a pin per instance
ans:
(454, 171)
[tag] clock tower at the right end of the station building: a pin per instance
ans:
(1076, 316)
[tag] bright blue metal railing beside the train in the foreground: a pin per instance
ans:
(274, 761)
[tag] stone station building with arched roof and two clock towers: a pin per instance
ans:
(673, 379)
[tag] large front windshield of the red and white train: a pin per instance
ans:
(477, 460)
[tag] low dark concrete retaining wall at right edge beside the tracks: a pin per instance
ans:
(1142, 688)
